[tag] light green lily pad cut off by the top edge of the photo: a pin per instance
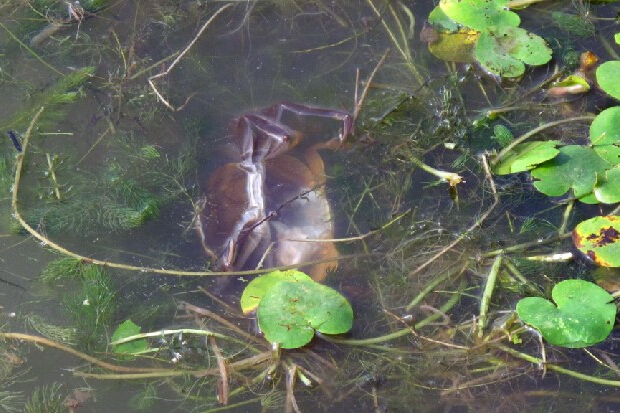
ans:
(480, 14)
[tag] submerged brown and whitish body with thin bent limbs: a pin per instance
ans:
(261, 209)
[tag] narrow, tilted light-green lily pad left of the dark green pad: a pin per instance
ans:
(526, 156)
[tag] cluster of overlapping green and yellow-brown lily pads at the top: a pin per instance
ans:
(488, 32)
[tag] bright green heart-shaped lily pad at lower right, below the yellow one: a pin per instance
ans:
(584, 315)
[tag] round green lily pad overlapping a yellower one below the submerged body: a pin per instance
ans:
(290, 312)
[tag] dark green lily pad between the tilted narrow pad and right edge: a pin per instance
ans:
(575, 167)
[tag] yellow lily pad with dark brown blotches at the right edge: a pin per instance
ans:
(598, 238)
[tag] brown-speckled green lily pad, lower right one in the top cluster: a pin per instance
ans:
(505, 50)
